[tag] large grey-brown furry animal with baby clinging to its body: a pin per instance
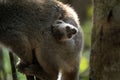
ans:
(49, 28)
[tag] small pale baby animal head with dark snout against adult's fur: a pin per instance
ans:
(63, 31)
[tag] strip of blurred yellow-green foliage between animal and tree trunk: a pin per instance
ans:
(84, 66)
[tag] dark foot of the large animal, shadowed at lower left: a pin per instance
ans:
(33, 70)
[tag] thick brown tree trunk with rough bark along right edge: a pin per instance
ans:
(105, 53)
